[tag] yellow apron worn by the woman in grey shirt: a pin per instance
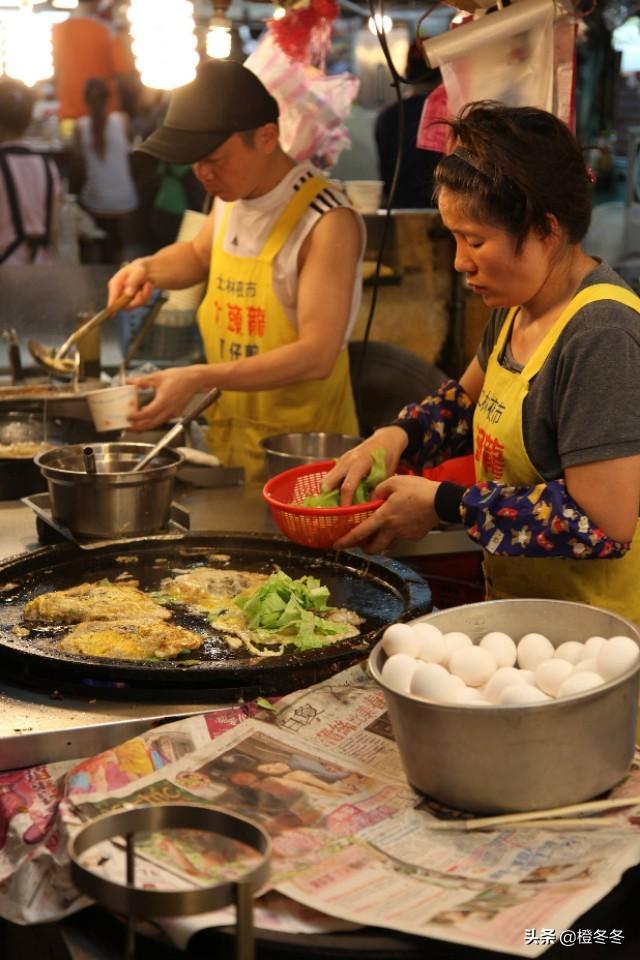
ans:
(500, 455)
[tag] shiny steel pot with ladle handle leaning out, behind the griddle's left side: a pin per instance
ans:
(113, 502)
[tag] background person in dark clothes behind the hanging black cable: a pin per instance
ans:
(414, 188)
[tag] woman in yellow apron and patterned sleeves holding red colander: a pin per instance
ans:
(550, 405)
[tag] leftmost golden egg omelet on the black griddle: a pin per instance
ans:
(102, 600)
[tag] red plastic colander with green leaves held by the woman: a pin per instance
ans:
(311, 526)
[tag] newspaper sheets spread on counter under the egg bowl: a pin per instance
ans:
(352, 843)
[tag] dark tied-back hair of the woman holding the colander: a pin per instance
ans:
(515, 166)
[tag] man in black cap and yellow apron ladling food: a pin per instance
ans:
(282, 253)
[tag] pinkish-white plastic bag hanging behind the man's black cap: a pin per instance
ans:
(313, 105)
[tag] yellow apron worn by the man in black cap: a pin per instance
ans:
(241, 316)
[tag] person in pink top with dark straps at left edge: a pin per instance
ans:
(29, 184)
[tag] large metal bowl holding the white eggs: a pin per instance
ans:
(508, 758)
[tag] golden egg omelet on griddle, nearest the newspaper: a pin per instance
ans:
(144, 640)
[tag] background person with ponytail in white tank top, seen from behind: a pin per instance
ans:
(101, 143)
